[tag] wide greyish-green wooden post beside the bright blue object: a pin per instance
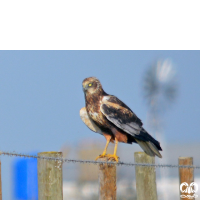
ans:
(50, 182)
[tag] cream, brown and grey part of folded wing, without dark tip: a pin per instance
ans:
(121, 115)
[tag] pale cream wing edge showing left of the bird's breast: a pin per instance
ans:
(88, 121)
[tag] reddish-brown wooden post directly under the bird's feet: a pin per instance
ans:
(107, 181)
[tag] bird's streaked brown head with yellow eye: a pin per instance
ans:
(91, 85)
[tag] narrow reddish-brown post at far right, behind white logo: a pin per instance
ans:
(185, 175)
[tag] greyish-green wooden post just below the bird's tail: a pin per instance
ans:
(145, 177)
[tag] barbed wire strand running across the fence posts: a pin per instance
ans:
(65, 160)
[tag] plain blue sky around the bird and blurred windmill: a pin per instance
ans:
(41, 95)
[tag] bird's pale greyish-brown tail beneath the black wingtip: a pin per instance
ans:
(149, 148)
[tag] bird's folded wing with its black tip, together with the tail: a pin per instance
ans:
(124, 118)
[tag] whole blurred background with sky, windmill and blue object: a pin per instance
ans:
(41, 95)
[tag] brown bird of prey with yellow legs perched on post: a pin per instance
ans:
(109, 116)
